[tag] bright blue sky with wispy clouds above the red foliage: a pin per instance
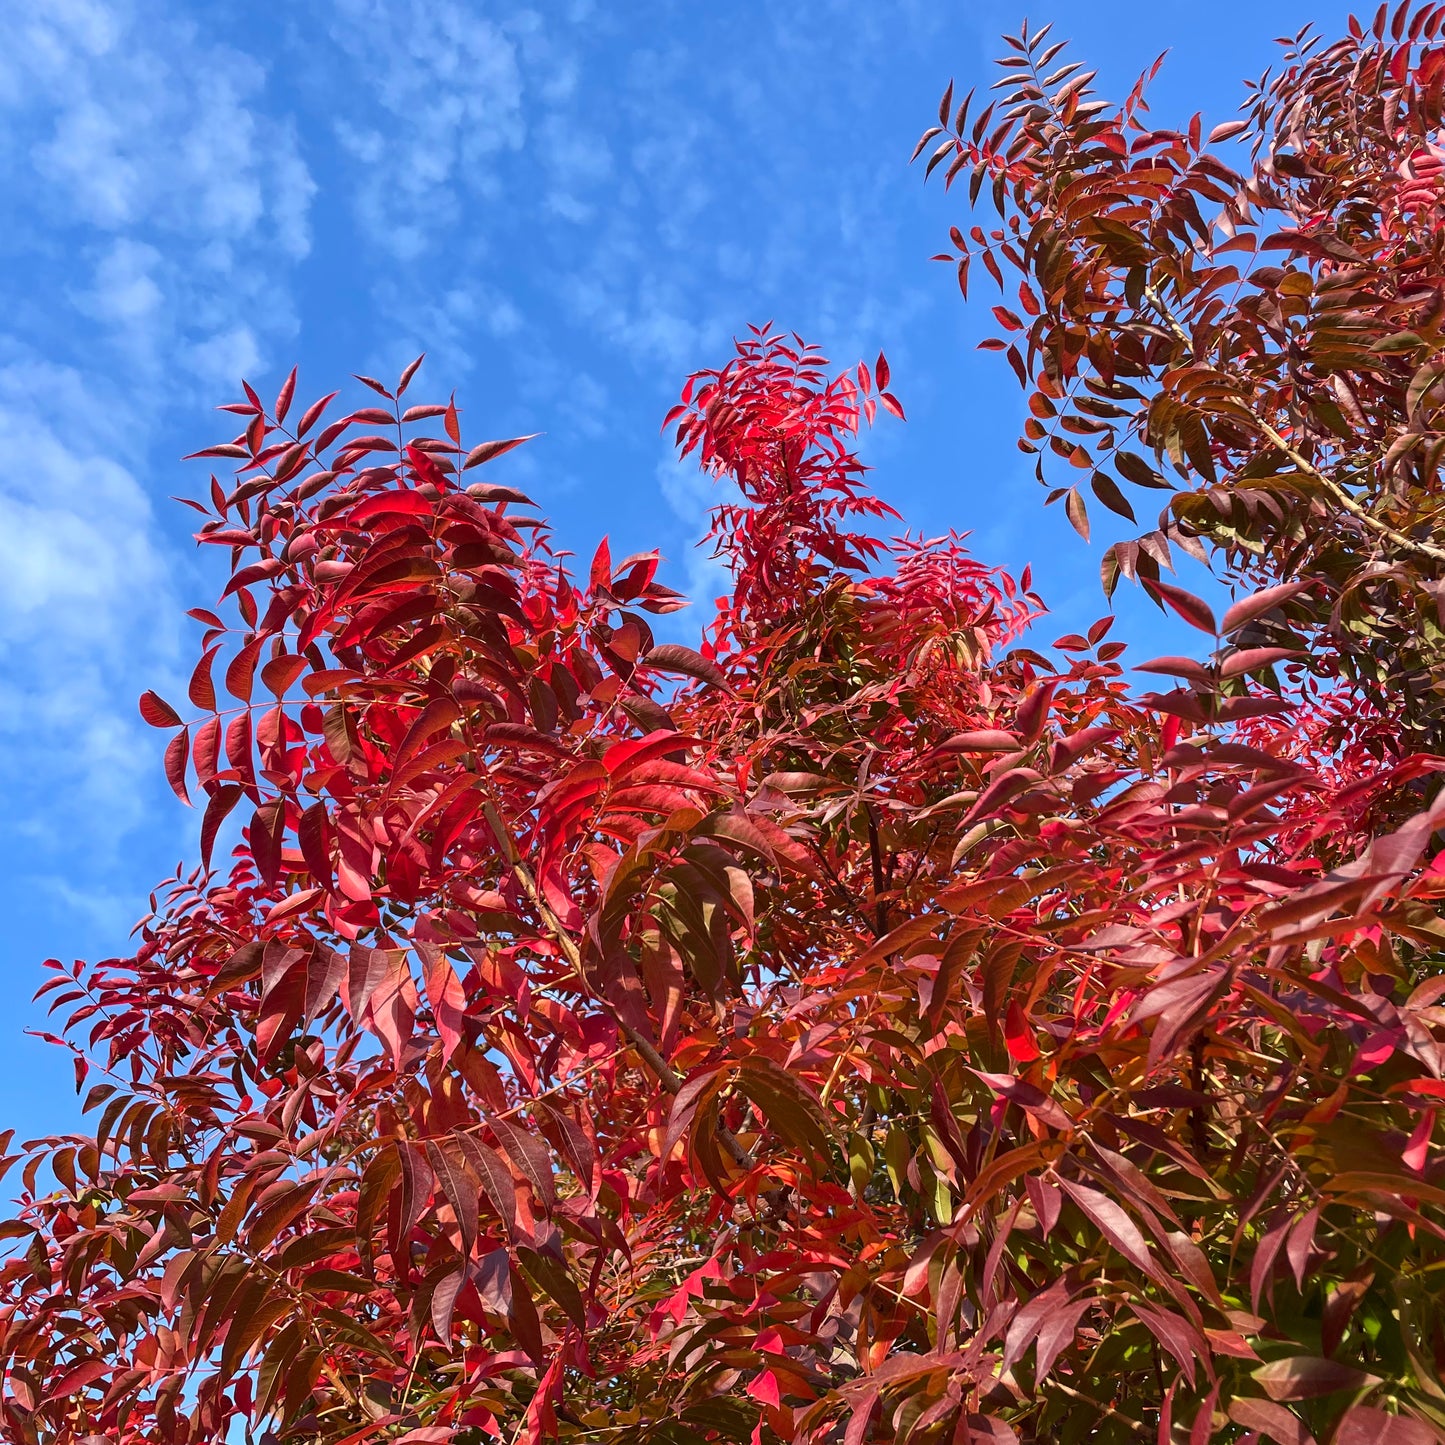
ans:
(569, 207)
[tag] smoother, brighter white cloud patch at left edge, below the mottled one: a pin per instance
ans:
(85, 599)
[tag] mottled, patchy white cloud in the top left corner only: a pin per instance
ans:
(138, 138)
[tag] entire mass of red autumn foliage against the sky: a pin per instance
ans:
(866, 1028)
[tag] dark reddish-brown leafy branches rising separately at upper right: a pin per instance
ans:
(1277, 371)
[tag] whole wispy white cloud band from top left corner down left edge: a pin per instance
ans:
(158, 212)
